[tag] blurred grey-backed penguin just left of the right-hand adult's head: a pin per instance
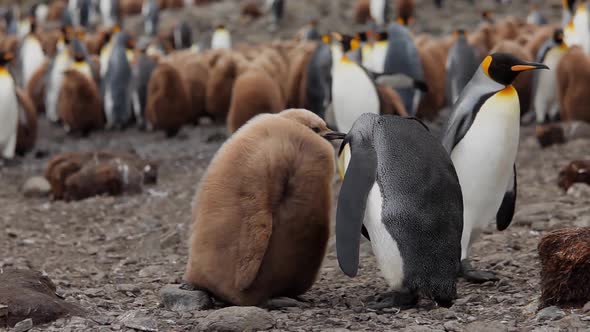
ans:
(462, 63)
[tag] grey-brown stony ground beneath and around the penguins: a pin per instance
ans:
(112, 256)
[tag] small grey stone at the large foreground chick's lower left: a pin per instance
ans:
(175, 299)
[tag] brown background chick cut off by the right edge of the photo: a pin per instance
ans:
(573, 74)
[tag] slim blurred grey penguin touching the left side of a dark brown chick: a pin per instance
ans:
(142, 70)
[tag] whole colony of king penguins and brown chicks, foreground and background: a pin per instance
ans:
(415, 197)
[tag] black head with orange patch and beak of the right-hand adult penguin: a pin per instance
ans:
(504, 68)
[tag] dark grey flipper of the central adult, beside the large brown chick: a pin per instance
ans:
(358, 181)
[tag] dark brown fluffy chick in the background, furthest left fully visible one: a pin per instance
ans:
(79, 104)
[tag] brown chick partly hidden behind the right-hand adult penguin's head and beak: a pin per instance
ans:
(523, 82)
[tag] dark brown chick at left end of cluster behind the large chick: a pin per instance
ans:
(167, 101)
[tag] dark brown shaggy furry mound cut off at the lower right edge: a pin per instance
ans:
(565, 267)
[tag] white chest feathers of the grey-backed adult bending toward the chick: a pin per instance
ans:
(385, 248)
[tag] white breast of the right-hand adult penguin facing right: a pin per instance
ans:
(484, 160)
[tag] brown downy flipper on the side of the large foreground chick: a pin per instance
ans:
(254, 237)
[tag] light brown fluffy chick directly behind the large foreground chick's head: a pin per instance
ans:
(254, 93)
